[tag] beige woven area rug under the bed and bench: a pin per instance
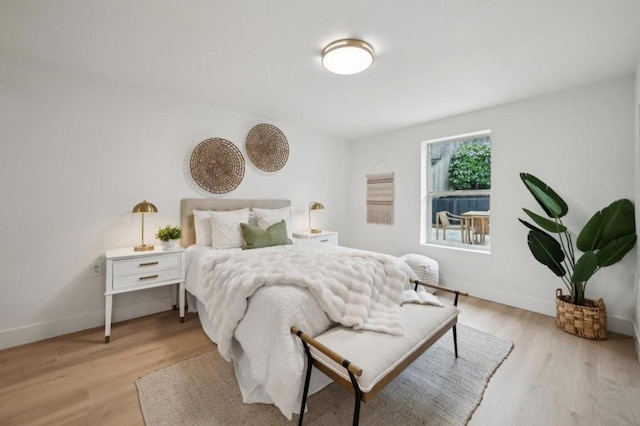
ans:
(437, 389)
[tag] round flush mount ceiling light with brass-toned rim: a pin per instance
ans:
(348, 56)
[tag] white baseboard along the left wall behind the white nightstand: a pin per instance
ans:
(45, 330)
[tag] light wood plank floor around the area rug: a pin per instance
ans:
(550, 377)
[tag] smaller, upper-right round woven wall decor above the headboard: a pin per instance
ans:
(267, 147)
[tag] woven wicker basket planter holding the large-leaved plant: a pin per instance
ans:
(588, 321)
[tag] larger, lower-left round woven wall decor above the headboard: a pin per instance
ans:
(217, 165)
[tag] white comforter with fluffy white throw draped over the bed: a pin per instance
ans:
(310, 285)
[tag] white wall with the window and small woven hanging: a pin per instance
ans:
(579, 141)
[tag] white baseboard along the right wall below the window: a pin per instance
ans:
(541, 306)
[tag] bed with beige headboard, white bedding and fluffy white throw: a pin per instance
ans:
(251, 323)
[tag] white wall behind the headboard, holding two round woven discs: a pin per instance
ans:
(77, 153)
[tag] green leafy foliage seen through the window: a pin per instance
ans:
(470, 167)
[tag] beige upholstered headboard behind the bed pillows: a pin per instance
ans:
(191, 204)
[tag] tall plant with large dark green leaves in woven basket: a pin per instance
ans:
(604, 240)
